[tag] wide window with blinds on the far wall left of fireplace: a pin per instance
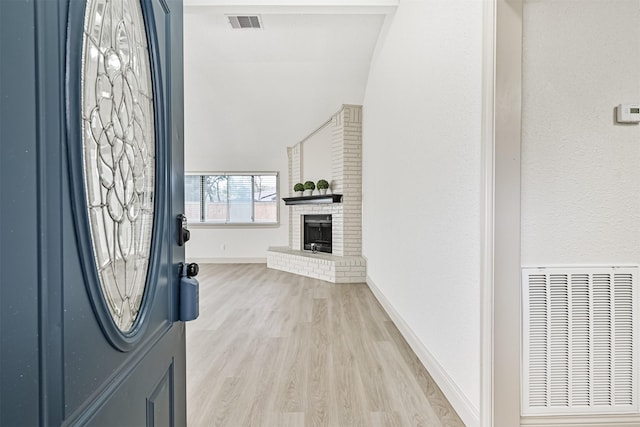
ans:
(238, 198)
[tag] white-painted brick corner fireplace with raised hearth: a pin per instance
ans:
(345, 263)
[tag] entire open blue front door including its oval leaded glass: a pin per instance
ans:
(91, 184)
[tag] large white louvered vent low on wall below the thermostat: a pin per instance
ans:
(580, 347)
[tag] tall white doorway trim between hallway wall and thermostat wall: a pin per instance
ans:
(500, 274)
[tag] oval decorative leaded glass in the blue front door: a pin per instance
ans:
(119, 151)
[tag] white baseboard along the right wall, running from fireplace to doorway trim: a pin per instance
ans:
(465, 409)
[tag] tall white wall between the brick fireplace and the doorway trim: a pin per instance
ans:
(421, 185)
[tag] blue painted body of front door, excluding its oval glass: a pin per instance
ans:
(59, 366)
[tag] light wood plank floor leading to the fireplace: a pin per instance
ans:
(275, 349)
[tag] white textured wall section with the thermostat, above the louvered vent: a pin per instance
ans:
(580, 171)
